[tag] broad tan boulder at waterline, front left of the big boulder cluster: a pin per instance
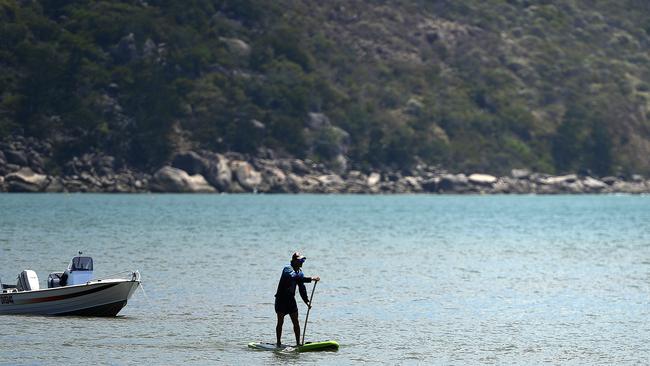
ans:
(168, 179)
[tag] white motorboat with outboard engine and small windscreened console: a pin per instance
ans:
(73, 292)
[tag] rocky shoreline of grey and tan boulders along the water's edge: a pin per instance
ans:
(22, 169)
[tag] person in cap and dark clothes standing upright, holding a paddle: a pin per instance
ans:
(285, 296)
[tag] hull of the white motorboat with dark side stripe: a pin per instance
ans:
(100, 298)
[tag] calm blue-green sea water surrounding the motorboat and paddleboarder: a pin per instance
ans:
(409, 279)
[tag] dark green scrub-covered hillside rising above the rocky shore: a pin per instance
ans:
(555, 86)
